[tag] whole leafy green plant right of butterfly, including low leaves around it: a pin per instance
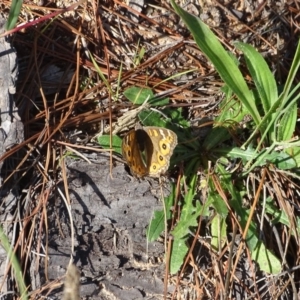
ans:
(273, 124)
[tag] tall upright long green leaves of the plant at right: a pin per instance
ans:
(274, 115)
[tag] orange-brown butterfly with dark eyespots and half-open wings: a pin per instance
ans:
(147, 150)
